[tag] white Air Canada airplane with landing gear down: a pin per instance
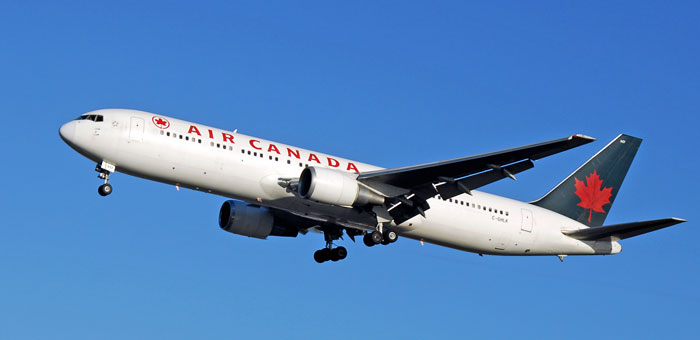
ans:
(277, 189)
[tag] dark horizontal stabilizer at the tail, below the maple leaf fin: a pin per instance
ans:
(624, 230)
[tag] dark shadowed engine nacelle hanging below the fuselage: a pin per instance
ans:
(252, 221)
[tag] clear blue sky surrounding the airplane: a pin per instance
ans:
(389, 83)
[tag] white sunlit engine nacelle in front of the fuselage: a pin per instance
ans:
(335, 187)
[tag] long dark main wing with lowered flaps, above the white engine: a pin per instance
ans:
(409, 188)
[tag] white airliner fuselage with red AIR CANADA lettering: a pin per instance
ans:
(247, 168)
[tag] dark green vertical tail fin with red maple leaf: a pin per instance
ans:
(588, 194)
